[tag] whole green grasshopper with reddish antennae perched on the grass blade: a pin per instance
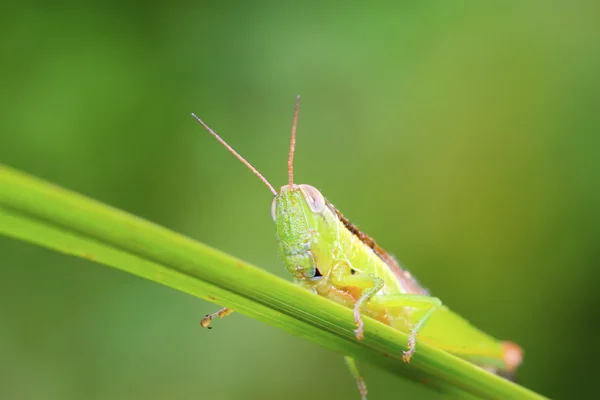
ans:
(328, 255)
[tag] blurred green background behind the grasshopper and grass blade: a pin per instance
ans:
(464, 137)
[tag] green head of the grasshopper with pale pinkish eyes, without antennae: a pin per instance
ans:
(296, 210)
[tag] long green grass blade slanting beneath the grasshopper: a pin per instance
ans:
(46, 215)
